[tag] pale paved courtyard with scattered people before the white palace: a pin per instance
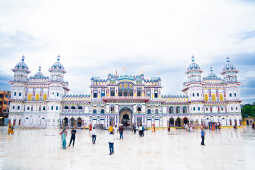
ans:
(227, 149)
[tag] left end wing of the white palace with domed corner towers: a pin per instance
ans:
(36, 100)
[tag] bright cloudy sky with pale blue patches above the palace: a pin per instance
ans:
(154, 37)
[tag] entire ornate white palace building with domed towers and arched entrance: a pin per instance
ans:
(40, 101)
